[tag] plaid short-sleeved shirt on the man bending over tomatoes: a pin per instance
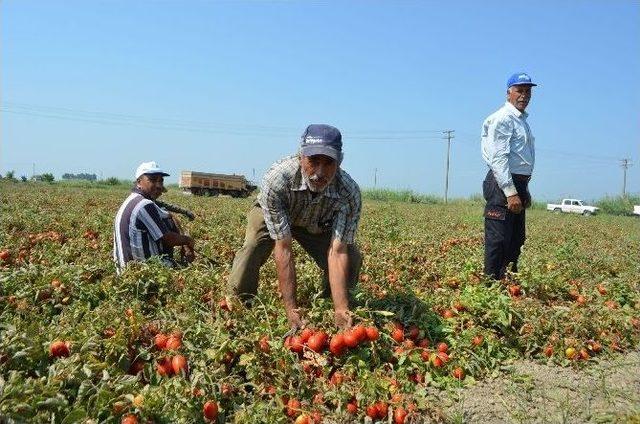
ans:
(287, 202)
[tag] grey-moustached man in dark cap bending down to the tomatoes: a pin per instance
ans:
(309, 198)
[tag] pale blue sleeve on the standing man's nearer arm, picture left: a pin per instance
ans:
(496, 135)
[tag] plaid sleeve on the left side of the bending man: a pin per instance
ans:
(273, 200)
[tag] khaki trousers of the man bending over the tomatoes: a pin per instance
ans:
(258, 245)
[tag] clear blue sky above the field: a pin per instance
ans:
(228, 86)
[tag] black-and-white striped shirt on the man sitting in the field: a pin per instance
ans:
(138, 230)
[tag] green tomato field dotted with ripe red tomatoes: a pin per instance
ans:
(80, 344)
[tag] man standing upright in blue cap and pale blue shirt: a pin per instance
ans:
(508, 148)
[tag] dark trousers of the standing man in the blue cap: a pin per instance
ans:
(504, 231)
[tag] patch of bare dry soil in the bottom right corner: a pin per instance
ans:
(529, 392)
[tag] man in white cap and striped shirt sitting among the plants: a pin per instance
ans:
(142, 229)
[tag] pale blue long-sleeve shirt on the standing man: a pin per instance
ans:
(508, 146)
